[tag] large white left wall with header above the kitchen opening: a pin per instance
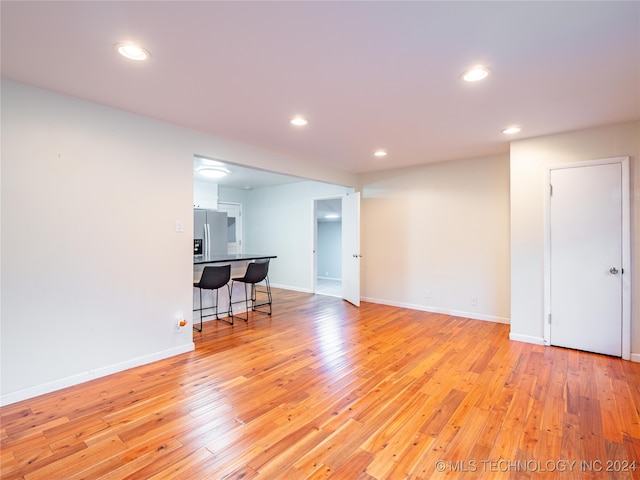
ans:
(94, 275)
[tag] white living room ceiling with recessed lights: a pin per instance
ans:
(368, 75)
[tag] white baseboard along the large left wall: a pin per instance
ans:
(92, 375)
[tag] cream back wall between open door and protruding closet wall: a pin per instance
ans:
(440, 229)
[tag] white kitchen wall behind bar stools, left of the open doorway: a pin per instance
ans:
(280, 220)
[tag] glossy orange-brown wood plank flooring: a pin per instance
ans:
(325, 390)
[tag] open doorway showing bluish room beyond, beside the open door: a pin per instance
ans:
(328, 246)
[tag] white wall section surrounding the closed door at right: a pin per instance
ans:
(529, 160)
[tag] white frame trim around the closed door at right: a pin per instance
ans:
(626, 247)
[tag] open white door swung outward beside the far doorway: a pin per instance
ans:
(351, 248)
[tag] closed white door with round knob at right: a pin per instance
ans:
(586, 261)
